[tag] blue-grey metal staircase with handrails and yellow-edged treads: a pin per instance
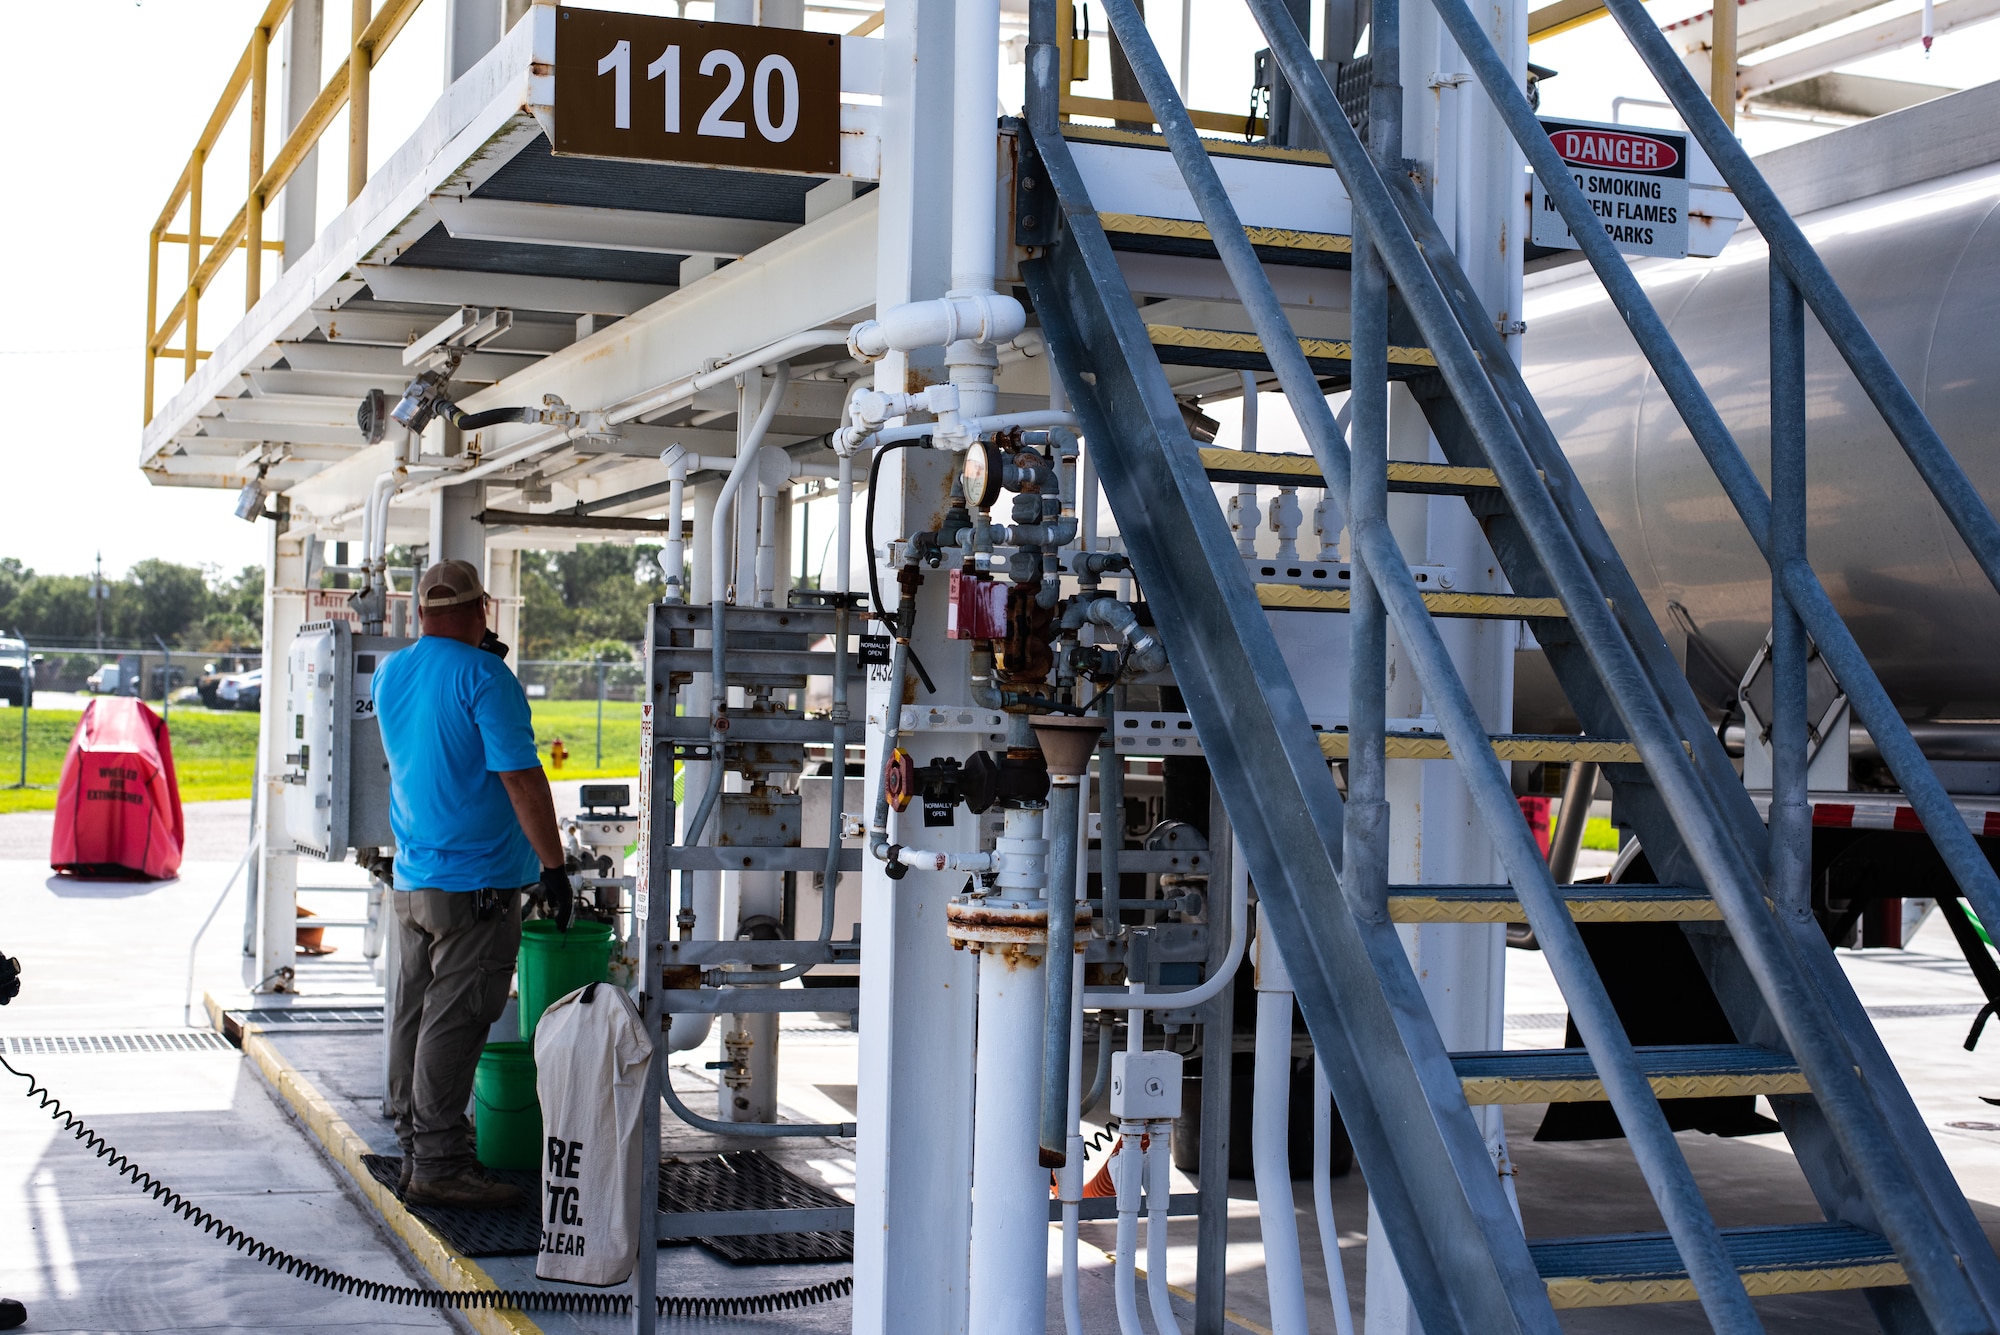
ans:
(1897, 1224)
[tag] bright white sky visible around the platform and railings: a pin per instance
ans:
(95, 171)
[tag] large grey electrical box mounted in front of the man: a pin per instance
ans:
(335, 768)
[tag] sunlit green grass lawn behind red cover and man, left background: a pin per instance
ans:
(215, 754)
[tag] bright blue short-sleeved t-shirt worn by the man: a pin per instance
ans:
(453, 720)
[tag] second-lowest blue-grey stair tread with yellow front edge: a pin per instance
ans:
(1681, 1072)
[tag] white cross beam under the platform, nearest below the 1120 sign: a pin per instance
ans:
(605, 229)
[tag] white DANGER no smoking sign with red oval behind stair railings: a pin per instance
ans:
(1637, 181)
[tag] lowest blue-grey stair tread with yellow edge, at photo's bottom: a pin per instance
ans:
(1645, 1268)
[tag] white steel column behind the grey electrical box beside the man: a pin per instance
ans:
(275, 938)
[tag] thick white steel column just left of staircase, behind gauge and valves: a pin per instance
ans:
(913, 1158)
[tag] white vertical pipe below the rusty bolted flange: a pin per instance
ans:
(1009, 1290)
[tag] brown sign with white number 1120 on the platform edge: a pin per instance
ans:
(681, 91)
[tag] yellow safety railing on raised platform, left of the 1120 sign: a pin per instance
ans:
(373, 33)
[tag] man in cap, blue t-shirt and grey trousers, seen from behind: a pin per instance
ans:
(475, 830)
